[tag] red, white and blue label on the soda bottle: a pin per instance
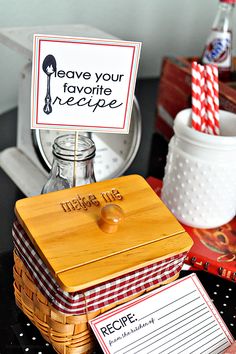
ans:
(218, 49)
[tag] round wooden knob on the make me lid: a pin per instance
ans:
(111, 216)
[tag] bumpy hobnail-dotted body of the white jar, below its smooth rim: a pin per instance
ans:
(200, 193)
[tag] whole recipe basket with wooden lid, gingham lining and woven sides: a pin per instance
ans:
(82, 251)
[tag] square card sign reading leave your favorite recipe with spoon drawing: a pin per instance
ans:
(83, 84)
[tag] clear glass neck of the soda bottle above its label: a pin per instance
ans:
(223, 20)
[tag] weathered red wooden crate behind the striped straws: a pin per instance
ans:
(174, 93)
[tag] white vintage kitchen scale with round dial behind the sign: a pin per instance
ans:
(29, 162)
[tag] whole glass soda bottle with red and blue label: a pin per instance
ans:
(218, 49)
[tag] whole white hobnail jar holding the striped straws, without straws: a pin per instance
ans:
(199, 185)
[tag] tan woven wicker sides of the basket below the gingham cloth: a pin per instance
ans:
(68, 334)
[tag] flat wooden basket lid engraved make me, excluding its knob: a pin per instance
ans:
(66, 230)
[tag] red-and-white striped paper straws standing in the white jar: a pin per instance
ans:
(205, 98)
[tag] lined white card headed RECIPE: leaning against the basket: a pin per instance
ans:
(176, 318)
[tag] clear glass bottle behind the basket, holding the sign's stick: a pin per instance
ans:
(71, 167)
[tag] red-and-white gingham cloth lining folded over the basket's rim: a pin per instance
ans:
(96, 297)
